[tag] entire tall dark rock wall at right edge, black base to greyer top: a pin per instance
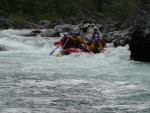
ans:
(140, 43)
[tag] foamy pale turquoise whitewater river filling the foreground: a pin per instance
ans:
(31, 81)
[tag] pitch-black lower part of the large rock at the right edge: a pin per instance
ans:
(140, 45)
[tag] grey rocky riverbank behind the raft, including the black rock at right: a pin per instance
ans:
(118, 33)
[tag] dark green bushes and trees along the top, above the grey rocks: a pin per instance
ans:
(35, 10)
